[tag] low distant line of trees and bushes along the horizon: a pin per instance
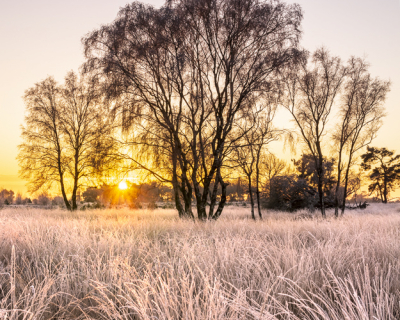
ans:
(283, 186)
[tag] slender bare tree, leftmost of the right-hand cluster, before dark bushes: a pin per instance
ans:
(311, 92)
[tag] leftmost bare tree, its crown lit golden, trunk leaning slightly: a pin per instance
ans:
(41, 155)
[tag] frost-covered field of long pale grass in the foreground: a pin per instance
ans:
(121, 264)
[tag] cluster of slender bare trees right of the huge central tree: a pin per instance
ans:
(315, 89)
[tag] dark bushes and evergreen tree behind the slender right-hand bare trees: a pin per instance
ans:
(297, 187)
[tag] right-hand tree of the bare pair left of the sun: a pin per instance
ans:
(87, 128)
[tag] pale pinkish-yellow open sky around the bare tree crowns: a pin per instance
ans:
(43, 37)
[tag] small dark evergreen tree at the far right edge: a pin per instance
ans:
(384, 169)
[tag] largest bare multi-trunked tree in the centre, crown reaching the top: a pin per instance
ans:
(190, 70)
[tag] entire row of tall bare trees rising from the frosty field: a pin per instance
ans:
(187, 93)
